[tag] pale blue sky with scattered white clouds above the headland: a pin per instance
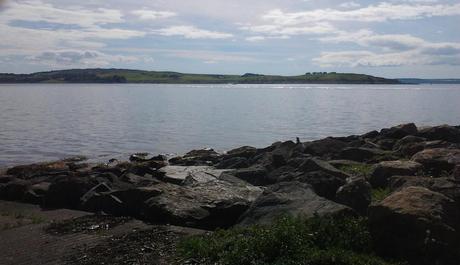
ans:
(392, 38)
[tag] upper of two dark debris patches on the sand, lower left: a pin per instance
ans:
(86, 224)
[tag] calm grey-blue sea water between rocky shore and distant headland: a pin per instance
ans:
(46, 122)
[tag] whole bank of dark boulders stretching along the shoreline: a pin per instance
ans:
(404, 179)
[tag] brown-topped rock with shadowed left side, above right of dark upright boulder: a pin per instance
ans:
(384, 170)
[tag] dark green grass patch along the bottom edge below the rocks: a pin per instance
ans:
(295, 241)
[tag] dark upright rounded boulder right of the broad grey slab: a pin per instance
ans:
(355, 194)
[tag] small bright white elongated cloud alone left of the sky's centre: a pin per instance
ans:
(191, 32)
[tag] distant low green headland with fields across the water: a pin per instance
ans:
(137, 76)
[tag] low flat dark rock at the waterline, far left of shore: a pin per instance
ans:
(29, 171)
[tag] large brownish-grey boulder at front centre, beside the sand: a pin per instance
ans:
(204, 205)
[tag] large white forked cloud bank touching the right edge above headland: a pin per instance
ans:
(396, 50)
